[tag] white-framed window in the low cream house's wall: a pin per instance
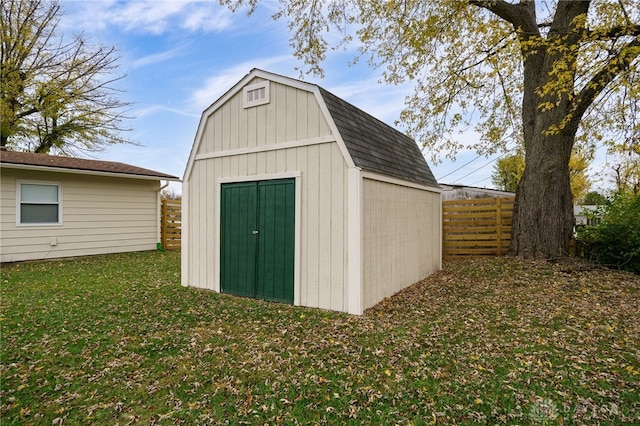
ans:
(39, 204)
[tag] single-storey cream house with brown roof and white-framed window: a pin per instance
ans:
(54, 207)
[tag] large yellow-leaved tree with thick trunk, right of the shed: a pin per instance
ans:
(547, 74)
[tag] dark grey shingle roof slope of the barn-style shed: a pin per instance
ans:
(376, 146)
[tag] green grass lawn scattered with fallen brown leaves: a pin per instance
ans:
(117, 340)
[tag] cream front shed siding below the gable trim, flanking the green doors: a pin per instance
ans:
(323, 213)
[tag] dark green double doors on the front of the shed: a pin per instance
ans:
(257, 239)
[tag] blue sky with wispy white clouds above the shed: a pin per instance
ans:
(179, 56)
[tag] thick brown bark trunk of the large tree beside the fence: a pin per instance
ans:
(543, 218)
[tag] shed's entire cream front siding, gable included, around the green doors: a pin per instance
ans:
(292, 115)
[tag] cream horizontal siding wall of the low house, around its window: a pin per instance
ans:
(100, 215)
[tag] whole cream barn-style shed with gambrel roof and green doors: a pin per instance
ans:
(292, 194)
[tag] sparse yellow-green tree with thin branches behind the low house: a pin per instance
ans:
(55, 95)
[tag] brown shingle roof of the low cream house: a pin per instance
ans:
(52, 161)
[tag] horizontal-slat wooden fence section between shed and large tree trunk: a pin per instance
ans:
(477, 227)
